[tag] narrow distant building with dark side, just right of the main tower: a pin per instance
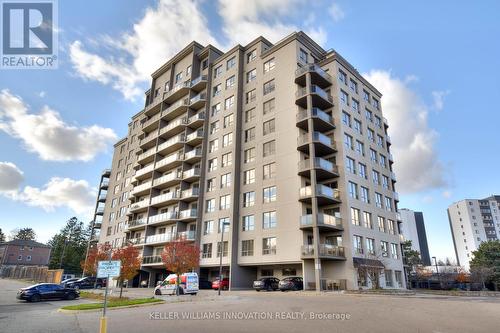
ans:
(413, 228)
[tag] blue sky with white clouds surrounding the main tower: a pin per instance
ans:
(436, 63)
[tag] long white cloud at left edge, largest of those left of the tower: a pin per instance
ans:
(47, 135)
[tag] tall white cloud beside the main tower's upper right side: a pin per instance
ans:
(417, 165)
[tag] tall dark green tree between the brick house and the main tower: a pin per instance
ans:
(69, 246)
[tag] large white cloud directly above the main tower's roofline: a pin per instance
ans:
(171, 25)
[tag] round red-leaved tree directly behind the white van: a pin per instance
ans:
(179, 257)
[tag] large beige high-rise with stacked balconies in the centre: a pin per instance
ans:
(274, 156)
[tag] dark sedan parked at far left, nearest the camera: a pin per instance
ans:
(45, 291)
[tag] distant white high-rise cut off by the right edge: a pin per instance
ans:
(473, 221)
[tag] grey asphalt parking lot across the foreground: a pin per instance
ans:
(249, 311)
